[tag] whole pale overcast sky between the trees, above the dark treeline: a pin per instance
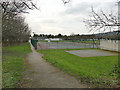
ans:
(54, 17)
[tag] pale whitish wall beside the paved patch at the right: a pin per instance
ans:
(112, 45)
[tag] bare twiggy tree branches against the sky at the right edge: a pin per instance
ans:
(102, 21)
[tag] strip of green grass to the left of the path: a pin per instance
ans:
(13, 64)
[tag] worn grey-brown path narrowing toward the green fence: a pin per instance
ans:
(41, 74)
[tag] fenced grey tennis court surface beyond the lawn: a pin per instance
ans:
(64, 45)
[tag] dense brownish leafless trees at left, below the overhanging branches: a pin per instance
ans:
(15, 30)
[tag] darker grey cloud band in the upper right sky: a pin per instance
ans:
(84, 8)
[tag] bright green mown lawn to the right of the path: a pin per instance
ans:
(94, 71)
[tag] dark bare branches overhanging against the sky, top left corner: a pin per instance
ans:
(17, 6)
